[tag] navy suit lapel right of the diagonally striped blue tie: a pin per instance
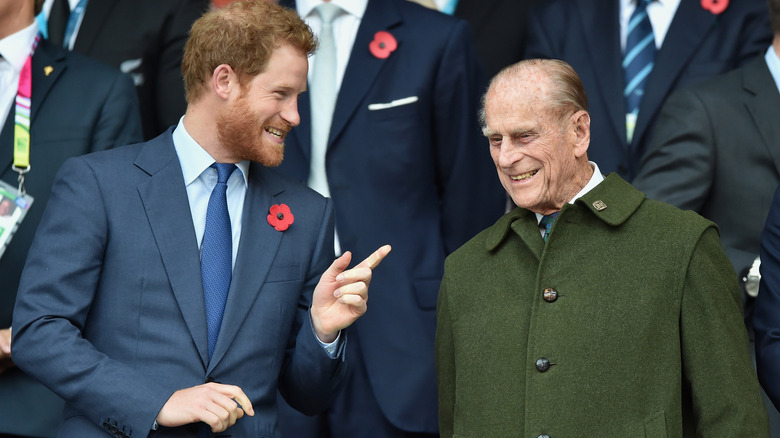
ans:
(688, 28)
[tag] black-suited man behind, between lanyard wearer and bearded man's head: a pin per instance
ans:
(144, 38)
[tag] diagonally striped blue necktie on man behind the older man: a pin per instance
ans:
(639, 57)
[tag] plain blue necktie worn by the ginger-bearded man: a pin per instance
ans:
(216, 254)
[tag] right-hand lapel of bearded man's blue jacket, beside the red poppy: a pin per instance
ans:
(256, 252)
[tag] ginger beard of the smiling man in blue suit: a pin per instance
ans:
(240, 130)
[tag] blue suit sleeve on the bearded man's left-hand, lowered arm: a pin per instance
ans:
(57, 289)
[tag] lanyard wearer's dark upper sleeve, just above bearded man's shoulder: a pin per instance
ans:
(119, 123)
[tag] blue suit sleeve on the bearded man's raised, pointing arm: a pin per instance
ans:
(310, 378)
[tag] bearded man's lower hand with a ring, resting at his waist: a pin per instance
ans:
(215, 404)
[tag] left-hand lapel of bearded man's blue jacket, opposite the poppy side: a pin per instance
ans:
(164, 197)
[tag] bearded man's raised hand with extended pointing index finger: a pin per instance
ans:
(341, 295)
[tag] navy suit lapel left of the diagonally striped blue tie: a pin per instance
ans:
(602, 34)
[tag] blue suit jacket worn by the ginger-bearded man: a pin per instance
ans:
(111, 315)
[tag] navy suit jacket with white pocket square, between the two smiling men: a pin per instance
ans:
(417, 176)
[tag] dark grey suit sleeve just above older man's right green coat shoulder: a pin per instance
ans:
(679, 165)
